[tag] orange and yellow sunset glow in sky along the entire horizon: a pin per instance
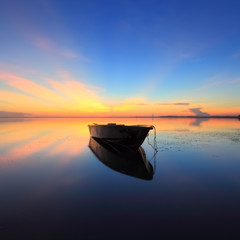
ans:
(70, 98)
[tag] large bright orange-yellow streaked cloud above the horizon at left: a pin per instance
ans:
(68, 98)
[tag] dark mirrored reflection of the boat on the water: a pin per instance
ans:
(128, 161)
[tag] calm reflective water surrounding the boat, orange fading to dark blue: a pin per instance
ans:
(52, 186)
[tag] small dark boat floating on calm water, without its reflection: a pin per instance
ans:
(126, 135)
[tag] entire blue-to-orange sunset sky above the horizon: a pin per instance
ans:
(119, 58)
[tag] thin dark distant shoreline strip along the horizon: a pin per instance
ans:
(206, 117)
